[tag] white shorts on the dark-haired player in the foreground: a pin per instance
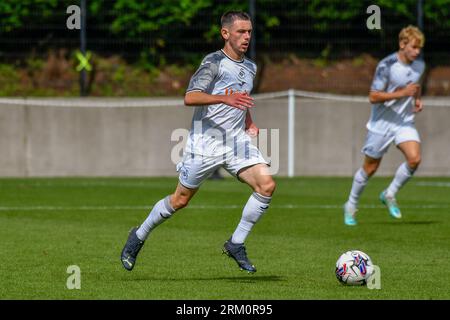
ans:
(194, 169)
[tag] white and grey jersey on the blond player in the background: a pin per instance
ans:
(390, 75)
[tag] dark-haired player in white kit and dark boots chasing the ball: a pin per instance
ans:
(220, 136)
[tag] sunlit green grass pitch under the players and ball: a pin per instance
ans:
(47, 225)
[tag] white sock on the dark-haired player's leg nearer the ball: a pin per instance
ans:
(256, 205)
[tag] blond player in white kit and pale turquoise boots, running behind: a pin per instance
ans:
(395, 97)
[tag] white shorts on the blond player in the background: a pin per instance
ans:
(376, 145)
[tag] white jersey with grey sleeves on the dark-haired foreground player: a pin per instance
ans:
(217, 128)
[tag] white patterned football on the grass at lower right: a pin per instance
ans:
(354, 267)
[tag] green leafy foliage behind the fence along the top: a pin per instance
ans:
(158, 23)
